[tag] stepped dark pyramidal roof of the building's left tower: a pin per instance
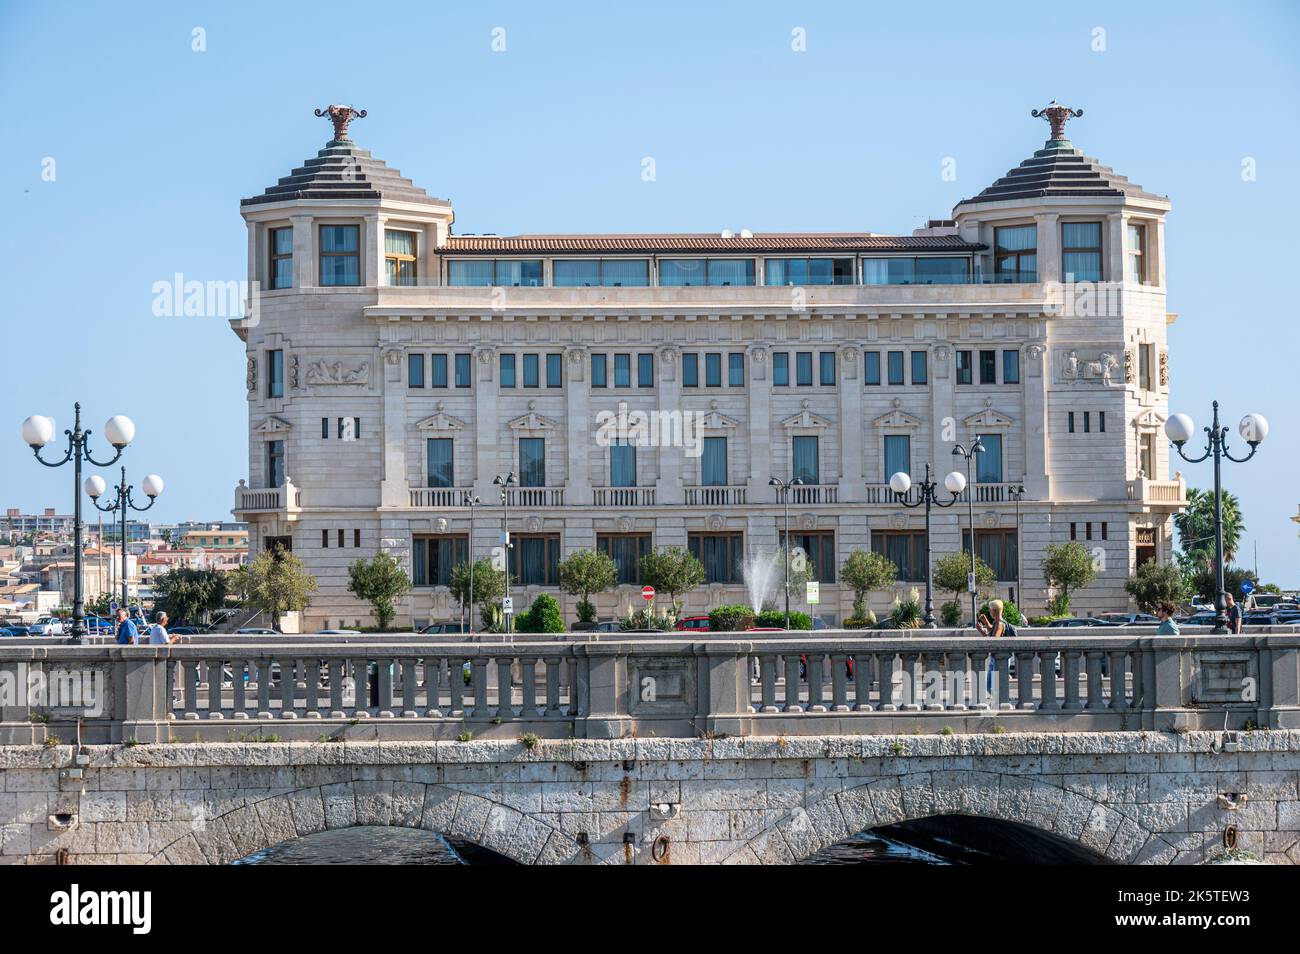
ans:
(344, 171)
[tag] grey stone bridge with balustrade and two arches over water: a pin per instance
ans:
(733, 749)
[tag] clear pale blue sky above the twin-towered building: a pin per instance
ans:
(155, 144)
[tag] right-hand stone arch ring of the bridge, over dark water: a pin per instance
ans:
(1074, 816)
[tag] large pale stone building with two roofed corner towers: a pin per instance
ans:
(397, 368)
